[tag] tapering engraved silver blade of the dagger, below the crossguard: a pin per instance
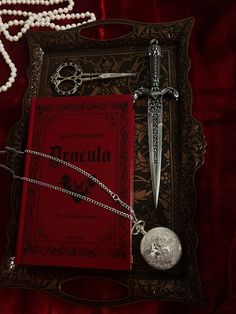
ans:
(155, 124)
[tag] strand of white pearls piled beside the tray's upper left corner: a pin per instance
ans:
(32, 19)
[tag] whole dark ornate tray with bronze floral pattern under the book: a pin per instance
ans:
(183, 150)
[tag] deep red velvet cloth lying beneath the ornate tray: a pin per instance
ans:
(212, 76)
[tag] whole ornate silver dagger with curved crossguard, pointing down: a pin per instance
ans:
(155, 115)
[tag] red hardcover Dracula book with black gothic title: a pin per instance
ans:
(94, 133)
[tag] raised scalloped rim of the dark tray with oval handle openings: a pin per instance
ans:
(182, 286)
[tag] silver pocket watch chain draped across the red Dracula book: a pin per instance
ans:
(138, 224)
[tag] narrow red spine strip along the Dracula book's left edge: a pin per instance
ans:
(23, 204)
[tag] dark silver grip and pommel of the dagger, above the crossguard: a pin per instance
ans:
(154, 52)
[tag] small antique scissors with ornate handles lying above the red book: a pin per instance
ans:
(69, 77)
